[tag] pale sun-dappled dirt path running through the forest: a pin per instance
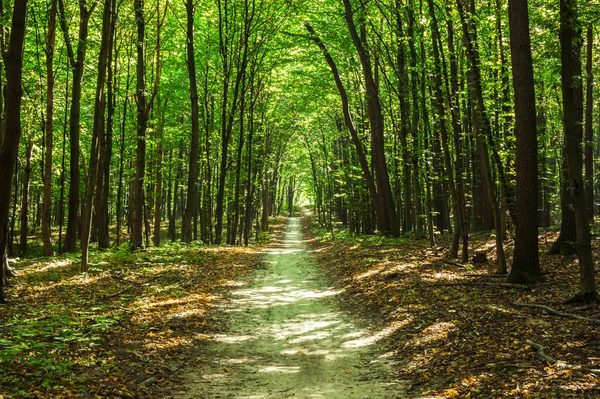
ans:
(288, 338)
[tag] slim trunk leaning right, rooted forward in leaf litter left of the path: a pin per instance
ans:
(98, 131)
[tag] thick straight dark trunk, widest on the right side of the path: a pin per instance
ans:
(526, 265)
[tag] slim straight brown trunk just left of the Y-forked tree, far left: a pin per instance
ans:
(47, 201)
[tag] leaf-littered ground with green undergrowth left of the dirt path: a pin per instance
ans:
(125, 328)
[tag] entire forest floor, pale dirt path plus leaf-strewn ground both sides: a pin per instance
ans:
(358, 317)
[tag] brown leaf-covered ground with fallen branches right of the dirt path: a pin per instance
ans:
(457, 331)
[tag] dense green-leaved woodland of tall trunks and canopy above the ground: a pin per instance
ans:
(197, 120)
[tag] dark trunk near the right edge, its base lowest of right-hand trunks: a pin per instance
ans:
(572, 96)
